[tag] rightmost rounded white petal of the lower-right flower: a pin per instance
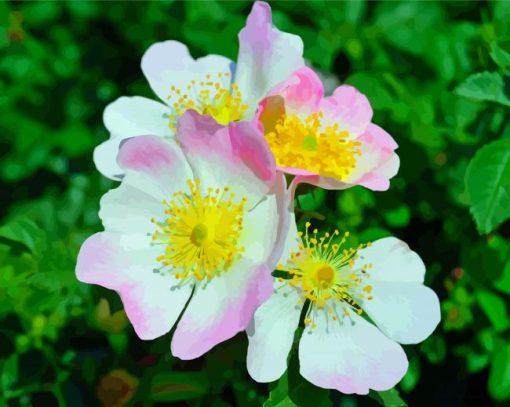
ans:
(405, 312)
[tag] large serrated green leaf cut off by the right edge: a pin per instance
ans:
(488, 185)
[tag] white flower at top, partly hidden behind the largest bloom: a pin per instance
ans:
(212, 85)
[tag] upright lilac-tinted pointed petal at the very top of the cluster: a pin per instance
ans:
(267, 56)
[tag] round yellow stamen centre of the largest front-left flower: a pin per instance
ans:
(200, 232)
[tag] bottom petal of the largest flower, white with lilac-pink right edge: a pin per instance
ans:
(222, 309)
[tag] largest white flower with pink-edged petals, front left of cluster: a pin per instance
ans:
(190, 234)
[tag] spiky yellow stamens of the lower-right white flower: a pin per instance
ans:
(328, 275)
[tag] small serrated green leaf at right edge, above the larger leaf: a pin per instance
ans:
(485, 87)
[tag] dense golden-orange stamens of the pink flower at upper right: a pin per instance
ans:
(308, 144)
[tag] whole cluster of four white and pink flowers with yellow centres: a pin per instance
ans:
(203, 216)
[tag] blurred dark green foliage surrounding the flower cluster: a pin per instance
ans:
(436, 75)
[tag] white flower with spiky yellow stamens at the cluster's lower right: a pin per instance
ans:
(339, 348)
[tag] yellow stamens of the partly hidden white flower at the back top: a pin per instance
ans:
(219, 99)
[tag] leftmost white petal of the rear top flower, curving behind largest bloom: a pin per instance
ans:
(129, 117)
